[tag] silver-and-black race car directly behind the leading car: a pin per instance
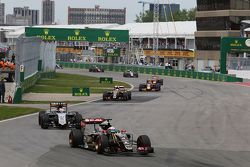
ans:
(59, 116)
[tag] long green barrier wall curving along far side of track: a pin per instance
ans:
(156, 71)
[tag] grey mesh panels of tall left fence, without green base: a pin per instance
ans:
(28, 51)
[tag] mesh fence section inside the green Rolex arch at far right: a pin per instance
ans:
(238, 63)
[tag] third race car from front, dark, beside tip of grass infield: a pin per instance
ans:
(118, 93)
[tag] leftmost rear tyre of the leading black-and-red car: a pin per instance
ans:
(76, 138)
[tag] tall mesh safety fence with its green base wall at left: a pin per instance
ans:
(35, 59)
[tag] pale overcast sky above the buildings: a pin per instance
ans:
(61, 6)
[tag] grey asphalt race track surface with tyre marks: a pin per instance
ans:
(191, 123)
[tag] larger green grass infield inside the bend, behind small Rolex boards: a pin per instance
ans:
(63, 83)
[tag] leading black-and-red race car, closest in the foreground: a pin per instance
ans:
(98, 135)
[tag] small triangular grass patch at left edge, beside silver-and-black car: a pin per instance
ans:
(11, 112)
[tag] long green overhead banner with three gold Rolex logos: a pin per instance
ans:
(88, 34)
